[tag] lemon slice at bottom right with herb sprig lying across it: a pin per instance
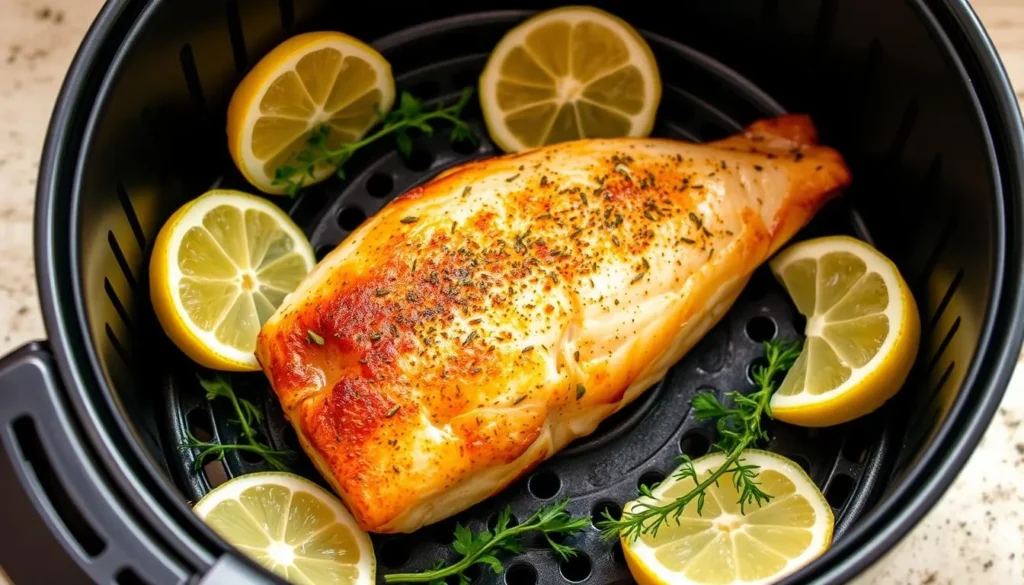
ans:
(723, 546)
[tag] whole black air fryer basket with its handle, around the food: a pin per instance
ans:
(910, 92)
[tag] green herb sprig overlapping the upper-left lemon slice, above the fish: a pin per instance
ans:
(410, 114)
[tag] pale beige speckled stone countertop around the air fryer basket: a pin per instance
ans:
(974, 535)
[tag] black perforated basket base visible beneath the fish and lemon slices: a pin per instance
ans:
(703, 100)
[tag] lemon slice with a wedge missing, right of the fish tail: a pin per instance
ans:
(863, 331)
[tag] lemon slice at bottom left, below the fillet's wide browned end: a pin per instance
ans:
(292, 527)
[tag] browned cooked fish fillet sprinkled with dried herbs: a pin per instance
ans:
(482, 322)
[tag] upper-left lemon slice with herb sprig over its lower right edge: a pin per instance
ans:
(310, 81)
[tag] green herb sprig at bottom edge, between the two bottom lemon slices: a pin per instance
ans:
(483, 548)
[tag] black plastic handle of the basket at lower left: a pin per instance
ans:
(63, 521)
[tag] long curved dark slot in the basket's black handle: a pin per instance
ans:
(35, 456)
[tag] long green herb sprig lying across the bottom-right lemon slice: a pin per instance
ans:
(739, 428)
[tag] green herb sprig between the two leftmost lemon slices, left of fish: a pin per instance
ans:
(248, 417)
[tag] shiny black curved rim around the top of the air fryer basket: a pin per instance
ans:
(157, 503)
